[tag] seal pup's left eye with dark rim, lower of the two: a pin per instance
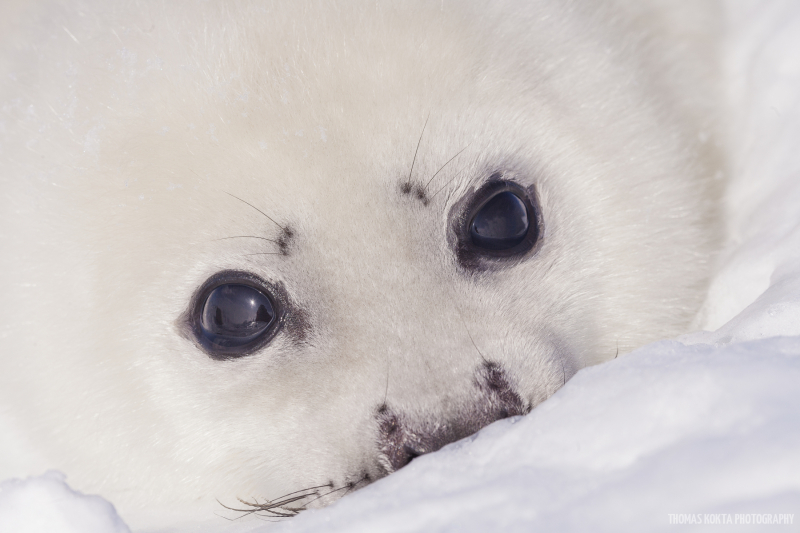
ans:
(234, 315)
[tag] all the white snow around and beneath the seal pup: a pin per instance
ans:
(702, 428)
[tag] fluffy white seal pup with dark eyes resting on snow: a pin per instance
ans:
(250, 248)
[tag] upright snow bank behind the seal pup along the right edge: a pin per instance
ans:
(757, 293)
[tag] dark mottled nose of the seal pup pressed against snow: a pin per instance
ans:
(401, 437)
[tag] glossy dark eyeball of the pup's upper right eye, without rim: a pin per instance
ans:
(501, 223)
